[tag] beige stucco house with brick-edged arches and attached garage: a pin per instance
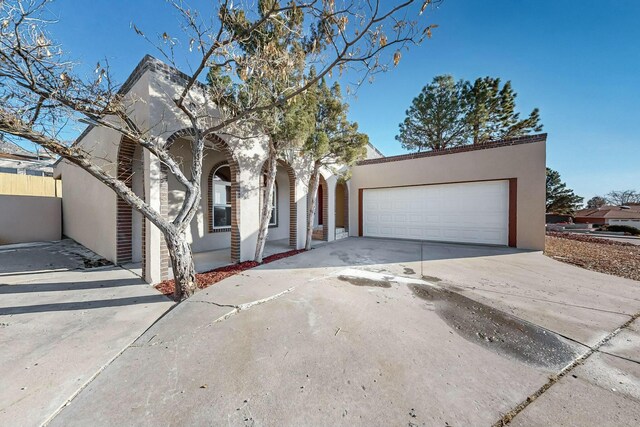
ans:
(489, 194)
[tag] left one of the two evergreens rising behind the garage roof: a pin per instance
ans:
(436, 118)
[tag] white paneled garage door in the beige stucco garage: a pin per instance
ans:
(475, 212)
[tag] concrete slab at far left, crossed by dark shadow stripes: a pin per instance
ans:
(61, 323)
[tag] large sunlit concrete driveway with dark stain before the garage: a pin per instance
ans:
(373, 332)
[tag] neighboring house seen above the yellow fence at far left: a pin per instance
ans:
(16, 160)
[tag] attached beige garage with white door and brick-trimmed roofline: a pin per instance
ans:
(491, 193)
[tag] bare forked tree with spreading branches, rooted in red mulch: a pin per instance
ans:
(42, 93)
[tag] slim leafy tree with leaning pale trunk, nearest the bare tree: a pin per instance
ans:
(270, 64)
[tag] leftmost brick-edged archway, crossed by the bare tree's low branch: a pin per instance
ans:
(130, 224)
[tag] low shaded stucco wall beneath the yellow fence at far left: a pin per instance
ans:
(29, 219)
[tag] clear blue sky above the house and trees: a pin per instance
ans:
(578, 61)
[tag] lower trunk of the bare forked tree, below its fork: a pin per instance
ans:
(184, 272)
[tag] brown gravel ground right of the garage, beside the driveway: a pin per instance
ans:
(604, 256)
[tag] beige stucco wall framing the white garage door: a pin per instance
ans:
(526, 162)
